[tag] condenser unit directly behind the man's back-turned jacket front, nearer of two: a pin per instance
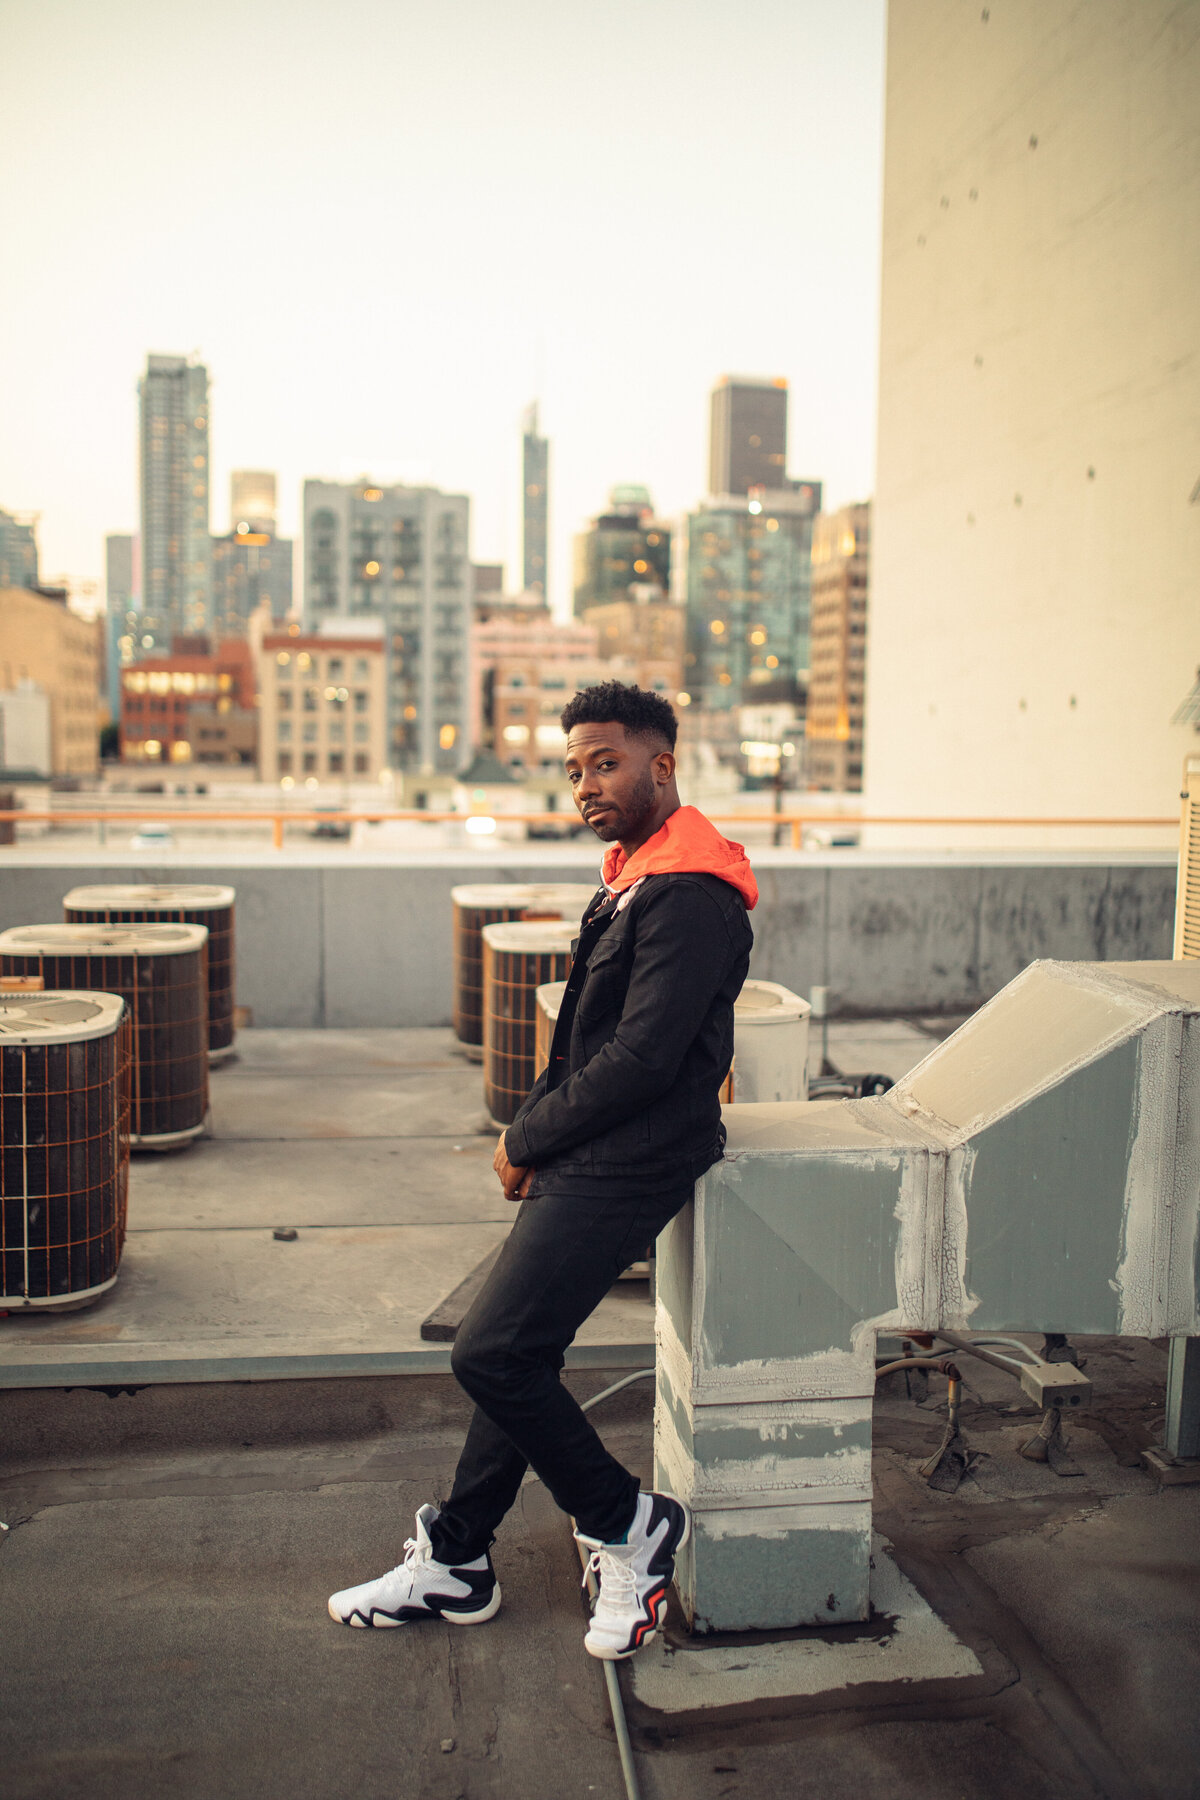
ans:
(519, 958)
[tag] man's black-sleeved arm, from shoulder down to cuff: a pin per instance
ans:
(681, 958)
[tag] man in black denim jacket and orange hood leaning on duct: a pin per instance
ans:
(602, 1155)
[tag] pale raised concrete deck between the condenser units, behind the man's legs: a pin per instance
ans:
(363, 1142)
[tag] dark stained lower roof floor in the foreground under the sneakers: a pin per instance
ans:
(174, 1551)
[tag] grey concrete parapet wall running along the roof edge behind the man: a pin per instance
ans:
(343, 940)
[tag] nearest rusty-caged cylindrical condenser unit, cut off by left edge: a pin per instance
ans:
(64, 1147)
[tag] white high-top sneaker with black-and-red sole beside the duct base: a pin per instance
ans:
(634, 1578)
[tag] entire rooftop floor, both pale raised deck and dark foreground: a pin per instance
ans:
(177, 1522)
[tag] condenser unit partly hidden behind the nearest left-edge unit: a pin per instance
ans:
(159, 971)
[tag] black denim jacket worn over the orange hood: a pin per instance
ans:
(643, 1043)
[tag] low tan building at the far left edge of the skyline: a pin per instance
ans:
(48, 643)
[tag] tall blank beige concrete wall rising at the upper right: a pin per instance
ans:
(1035, 595)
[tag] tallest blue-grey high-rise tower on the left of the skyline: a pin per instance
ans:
(177, 586)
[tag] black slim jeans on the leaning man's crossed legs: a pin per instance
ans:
(559, 1263)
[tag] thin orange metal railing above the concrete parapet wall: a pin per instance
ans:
(794, 822)
